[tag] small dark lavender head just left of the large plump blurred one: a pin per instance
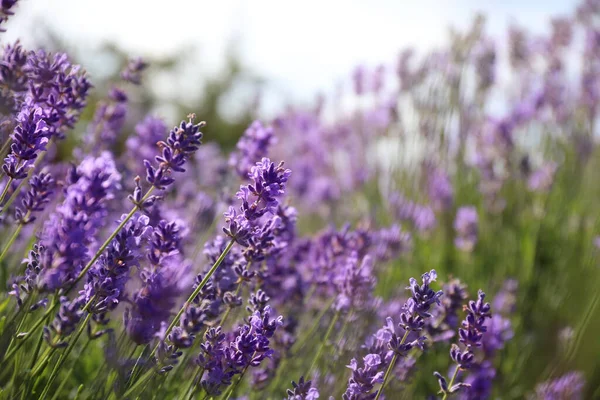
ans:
(39, 194)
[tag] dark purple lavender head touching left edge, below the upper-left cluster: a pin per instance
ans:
(28, 140)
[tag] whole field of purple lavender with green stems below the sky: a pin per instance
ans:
(431, 233)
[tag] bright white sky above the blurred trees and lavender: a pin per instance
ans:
(301, 47)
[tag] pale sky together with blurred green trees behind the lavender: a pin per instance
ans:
(234, 60)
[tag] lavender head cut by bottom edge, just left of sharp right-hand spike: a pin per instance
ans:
(364, 378)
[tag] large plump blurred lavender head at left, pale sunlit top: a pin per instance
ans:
(69, 233)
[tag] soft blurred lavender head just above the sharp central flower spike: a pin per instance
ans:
(252, 147)
